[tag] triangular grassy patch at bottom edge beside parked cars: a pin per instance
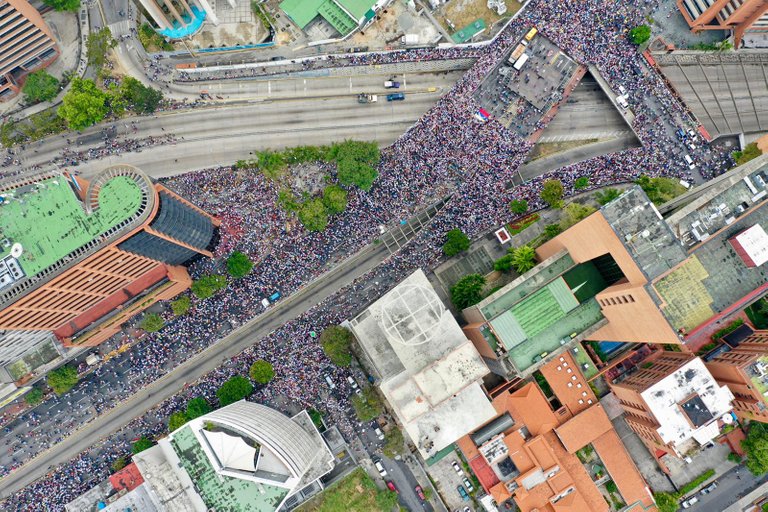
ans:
(355, 493)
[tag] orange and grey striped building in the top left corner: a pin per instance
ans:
(26, 44)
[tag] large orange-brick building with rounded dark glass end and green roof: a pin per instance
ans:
(78, 258)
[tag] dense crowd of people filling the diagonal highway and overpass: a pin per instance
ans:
(447, 152)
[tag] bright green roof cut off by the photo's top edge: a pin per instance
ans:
(342, 15)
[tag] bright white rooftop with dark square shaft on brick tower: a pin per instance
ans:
(687, 402)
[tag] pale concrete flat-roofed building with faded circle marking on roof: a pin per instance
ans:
(430, 373)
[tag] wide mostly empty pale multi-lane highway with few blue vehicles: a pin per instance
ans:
(307, 111)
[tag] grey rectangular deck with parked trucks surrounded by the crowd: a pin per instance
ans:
(518, 98)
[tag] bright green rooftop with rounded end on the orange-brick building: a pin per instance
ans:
(49, 221)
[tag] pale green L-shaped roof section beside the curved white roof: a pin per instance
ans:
(221, 492)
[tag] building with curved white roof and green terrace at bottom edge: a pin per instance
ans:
(242, 457)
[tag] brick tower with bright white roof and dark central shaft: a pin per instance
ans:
(674, 403)
